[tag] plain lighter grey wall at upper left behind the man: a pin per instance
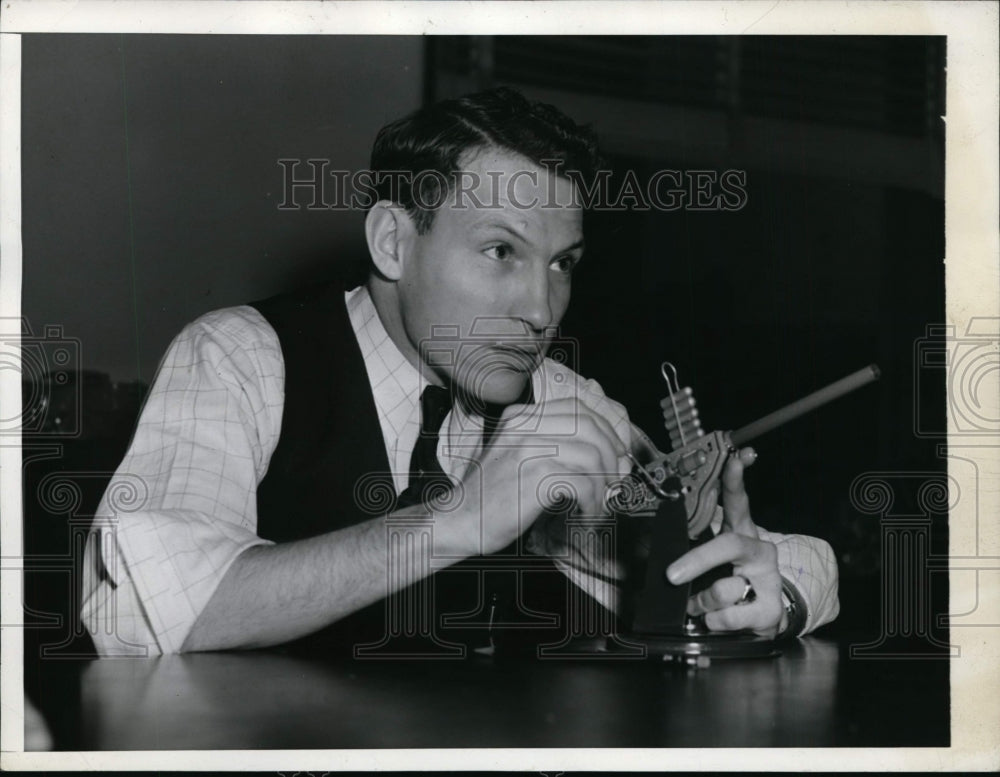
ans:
(154, 178)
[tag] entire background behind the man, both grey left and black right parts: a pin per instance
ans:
(151, 191)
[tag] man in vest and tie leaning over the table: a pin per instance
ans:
(272, 430)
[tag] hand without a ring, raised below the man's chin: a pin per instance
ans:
(565, 442)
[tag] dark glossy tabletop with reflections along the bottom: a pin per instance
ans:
(814, 695)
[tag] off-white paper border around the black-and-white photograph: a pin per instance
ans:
(972, 202)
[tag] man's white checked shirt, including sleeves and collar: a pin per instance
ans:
(182, 505)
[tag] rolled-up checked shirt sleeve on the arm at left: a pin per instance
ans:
(182, 505)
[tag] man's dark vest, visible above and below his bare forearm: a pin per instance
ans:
(329, 470)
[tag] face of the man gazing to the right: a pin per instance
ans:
(483, 290)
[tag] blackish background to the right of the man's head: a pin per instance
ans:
(834, 261)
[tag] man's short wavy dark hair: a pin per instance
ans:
(427, 146)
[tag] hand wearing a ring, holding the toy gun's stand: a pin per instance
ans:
(752, 558)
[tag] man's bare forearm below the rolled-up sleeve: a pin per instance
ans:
(276, 593)
